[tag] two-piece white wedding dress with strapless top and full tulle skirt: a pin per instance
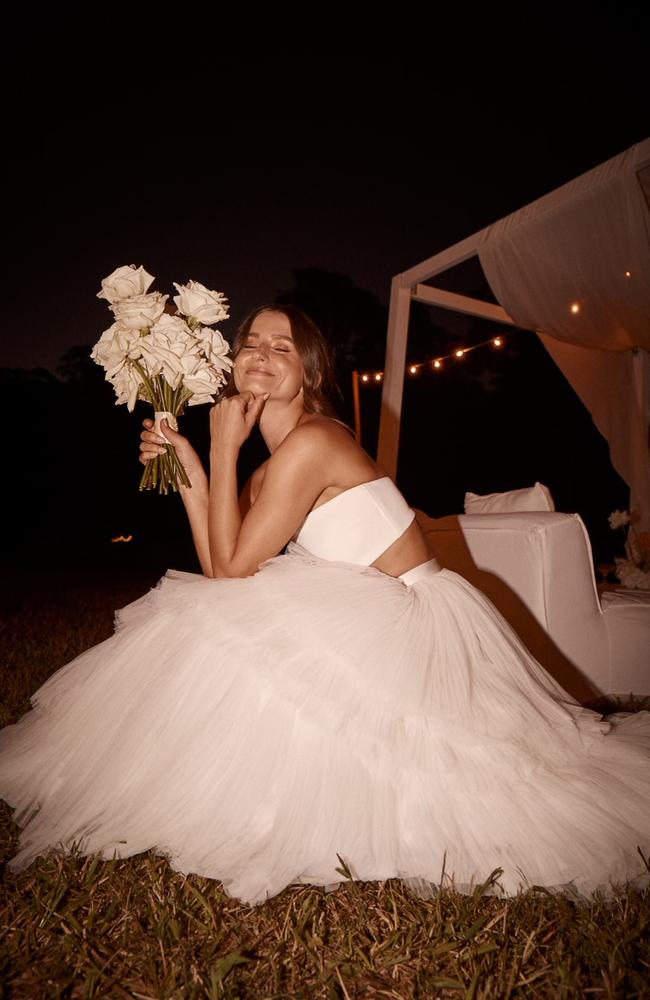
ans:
(260, 730)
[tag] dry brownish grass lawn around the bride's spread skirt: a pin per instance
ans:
(80, 927)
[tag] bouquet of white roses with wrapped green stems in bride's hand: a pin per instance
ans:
(168, 359)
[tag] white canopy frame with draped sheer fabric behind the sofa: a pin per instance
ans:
(574, 266)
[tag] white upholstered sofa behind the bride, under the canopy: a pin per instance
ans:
(537, 569)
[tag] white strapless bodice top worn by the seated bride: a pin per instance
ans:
(357, 525)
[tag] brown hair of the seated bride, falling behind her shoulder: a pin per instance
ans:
(312, 349)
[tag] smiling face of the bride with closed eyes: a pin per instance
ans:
(268, 360)
